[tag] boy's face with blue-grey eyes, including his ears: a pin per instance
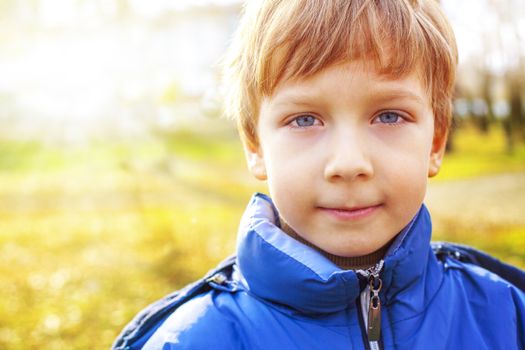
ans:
(346, 154)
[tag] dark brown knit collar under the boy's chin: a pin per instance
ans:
(346, 263)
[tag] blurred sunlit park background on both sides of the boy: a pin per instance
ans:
(119, 181)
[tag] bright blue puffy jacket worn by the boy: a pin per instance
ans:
(285, 295)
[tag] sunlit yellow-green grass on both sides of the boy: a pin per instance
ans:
(89, 236)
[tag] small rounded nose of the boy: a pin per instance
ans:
(349, 158)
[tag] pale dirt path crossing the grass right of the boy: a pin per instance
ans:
(497, 199)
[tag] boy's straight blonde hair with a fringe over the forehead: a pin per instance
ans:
(290, 39)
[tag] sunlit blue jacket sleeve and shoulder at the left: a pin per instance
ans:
(196, 325)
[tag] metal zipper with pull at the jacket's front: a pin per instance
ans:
(371, 304)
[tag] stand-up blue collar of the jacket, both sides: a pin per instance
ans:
(275, 267)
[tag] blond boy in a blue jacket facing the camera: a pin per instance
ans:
(343, 107)
